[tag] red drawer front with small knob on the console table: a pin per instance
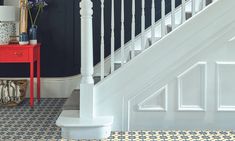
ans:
(8, 54)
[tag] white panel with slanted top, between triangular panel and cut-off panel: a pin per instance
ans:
(192, 88)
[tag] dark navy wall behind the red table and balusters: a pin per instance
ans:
(59, 33)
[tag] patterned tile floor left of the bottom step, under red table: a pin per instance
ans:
(25, 123)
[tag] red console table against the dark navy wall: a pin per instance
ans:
(24, 54)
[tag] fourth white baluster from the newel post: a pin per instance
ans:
(133, 30)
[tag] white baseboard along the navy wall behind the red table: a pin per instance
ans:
(60, 87)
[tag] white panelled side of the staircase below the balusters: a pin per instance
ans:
(161, 64)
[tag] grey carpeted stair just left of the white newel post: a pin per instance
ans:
(73, 102)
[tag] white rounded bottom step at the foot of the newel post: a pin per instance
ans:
(74, 128)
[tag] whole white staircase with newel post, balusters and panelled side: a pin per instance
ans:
(167, 84)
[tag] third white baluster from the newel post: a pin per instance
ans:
(122, 33)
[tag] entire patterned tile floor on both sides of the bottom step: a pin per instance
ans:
(22, 123)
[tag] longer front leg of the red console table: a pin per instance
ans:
(31, 83)
